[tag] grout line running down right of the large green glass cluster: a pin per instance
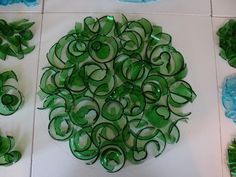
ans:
(218, 99)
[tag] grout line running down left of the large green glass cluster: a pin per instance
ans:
(35, 97)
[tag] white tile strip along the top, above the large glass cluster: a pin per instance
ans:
(200, 7)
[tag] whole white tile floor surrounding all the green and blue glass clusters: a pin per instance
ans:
(201, 150)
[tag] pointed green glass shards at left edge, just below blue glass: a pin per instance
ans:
(14, 38)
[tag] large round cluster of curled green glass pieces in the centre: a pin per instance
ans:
(113, 89)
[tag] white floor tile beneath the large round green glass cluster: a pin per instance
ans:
(198, 154)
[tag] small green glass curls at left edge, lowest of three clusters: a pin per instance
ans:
(8, 156)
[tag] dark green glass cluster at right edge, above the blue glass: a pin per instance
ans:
(227, 40)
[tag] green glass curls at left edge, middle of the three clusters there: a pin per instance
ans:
(10, 96)
